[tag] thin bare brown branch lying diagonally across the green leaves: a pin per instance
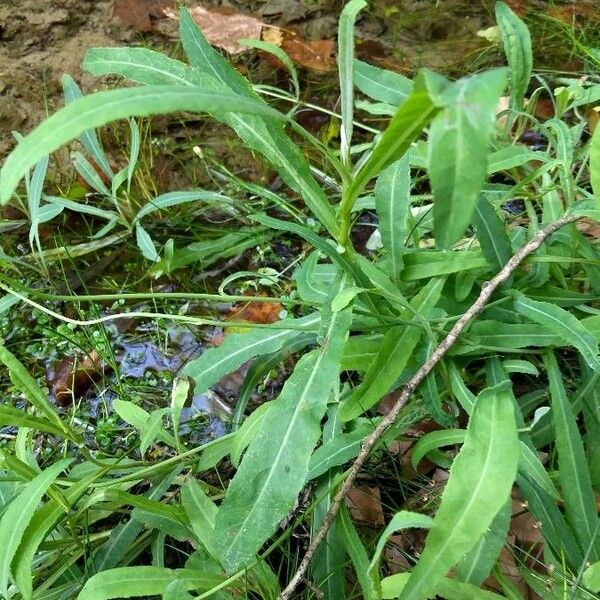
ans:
(487, 289)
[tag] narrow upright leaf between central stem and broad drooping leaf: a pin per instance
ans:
(392, 201)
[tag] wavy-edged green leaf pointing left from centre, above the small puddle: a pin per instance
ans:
(237, 348)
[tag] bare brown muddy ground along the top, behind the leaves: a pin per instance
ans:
(39, 41)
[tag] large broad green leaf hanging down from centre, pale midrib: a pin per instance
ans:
(275, 465)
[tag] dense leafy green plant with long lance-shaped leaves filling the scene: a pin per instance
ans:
(459, 286)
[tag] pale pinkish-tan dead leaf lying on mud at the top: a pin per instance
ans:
(224, 28)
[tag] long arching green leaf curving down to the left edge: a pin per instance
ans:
(101, 108)
